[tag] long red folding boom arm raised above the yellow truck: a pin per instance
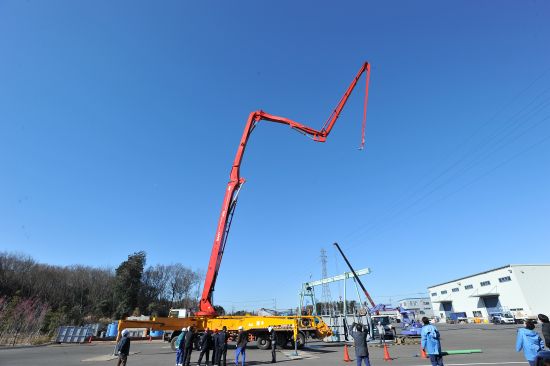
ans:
(236, 181)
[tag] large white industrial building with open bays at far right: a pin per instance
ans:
(518, 288)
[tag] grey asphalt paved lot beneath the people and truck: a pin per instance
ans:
(497, 343)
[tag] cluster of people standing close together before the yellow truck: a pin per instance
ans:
(209, 341)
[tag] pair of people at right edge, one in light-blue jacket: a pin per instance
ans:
(532, 344)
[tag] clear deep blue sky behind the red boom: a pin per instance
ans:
(119, 123)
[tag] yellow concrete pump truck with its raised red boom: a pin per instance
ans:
(288, 329)
